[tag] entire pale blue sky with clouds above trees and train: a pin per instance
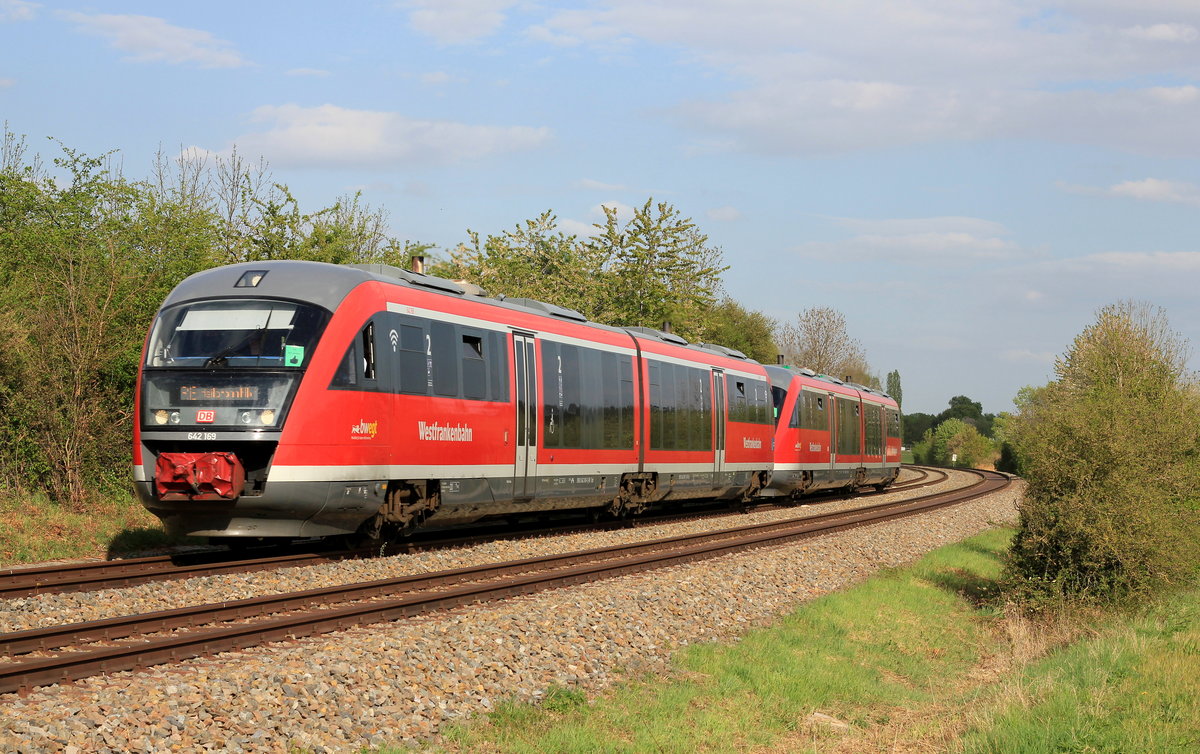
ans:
(967, 182)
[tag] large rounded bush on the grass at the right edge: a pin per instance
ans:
(1109, 452)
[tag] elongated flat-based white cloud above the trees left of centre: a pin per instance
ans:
(331, 136)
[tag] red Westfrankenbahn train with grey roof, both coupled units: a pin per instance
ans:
(299, 399)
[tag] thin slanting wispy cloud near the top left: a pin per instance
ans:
(151, 40)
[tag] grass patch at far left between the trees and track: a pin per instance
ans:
(34, 530)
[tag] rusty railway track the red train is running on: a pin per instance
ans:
(94, 576)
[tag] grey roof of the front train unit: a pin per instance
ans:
(327, 285)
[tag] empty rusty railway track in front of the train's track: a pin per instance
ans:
(83, 650)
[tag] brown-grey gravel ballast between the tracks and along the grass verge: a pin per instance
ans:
(399, 683)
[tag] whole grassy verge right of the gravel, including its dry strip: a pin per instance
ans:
(915, 660)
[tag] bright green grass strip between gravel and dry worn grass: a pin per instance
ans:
(860, 657)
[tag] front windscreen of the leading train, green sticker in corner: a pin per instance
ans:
(242, 333)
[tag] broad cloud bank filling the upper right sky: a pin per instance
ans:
(833, 77)
